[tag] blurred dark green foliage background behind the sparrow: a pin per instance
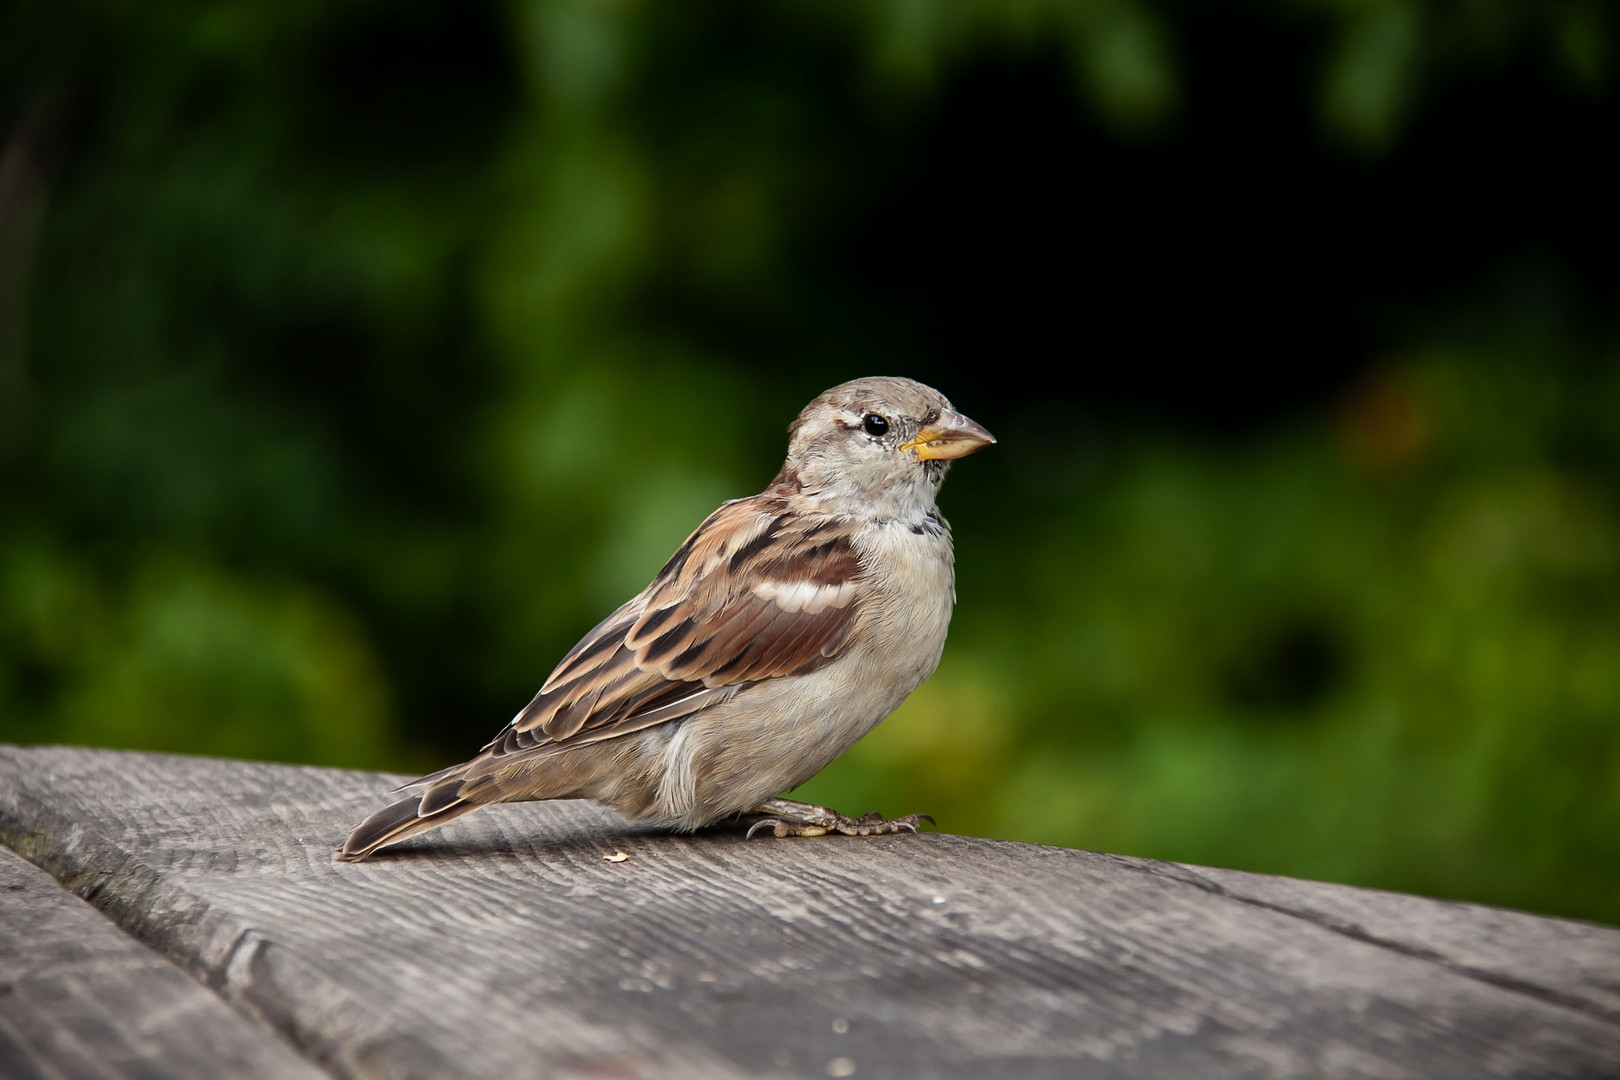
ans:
(357, 357)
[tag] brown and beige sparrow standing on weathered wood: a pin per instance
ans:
(785, 629)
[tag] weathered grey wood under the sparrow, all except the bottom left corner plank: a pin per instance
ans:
(508, 946)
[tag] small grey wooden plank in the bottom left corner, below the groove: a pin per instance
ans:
(80, 998)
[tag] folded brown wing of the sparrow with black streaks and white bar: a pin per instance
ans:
(754, 593)
